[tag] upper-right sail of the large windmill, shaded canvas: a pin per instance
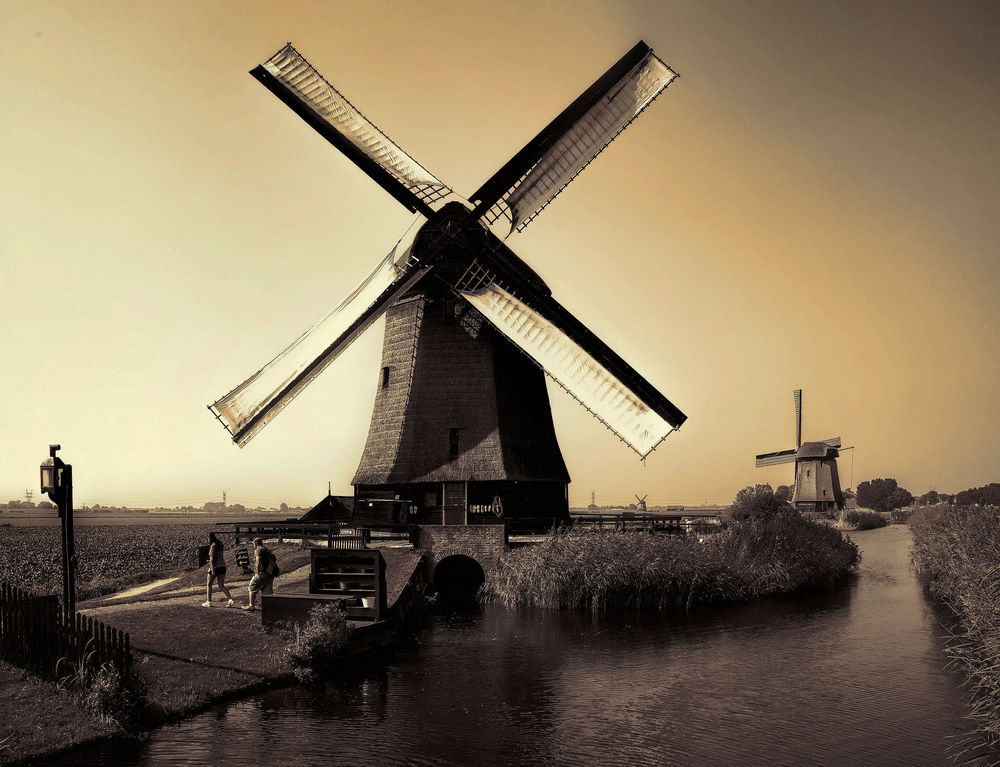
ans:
(537, 174)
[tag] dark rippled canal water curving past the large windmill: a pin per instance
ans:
(853, 677)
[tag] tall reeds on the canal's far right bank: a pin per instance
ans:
(956, 550)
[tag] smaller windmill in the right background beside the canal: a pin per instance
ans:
(817, 482)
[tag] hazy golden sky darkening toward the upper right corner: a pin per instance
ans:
(813, 205)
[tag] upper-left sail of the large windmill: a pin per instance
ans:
(293, 79)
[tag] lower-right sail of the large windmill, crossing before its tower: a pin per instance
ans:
(610, 389)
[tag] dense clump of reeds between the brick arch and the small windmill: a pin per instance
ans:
(751, 558)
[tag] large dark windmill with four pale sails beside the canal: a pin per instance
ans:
(461, 424)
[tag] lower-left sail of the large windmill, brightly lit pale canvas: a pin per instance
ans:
(250, 406)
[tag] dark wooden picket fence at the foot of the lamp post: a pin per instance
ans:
(34, 637)
